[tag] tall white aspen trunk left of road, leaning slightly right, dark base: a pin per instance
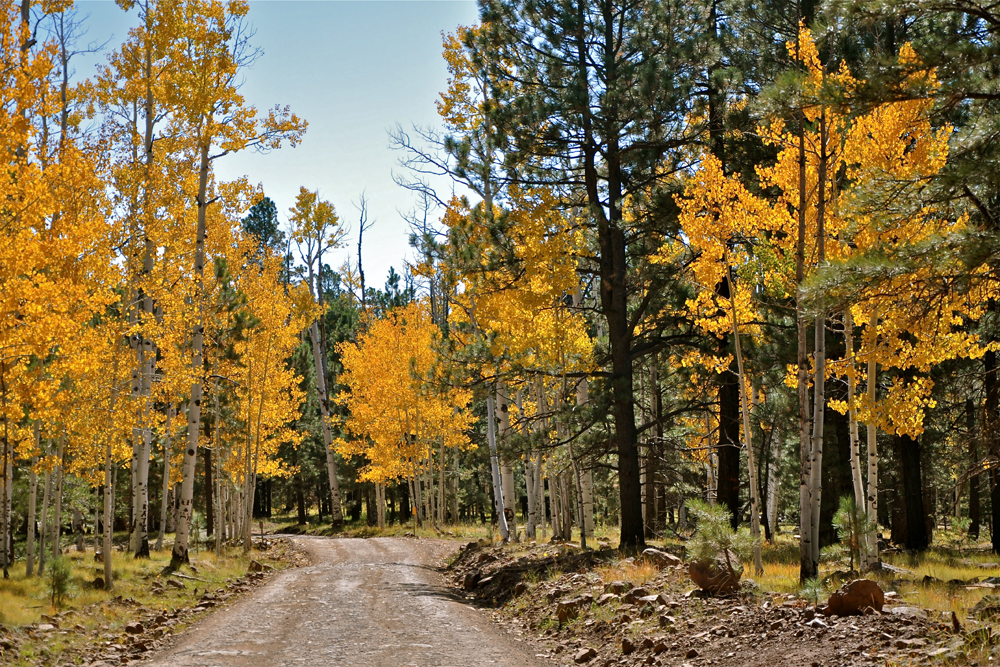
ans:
(179, 556)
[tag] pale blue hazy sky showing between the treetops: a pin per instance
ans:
(352, 69)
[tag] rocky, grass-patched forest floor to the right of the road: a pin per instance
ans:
(656, 617)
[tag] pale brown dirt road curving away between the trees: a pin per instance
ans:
(365, 602)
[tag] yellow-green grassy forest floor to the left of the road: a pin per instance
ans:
(145, 610)
